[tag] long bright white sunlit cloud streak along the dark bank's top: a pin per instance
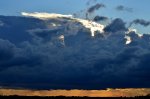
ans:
(93, 26)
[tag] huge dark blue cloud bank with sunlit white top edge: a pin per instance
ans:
(59, 52)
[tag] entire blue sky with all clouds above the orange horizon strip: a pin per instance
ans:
(32, 55)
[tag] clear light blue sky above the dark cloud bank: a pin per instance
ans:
(140, 9)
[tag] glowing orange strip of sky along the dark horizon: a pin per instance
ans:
(128, 92)
